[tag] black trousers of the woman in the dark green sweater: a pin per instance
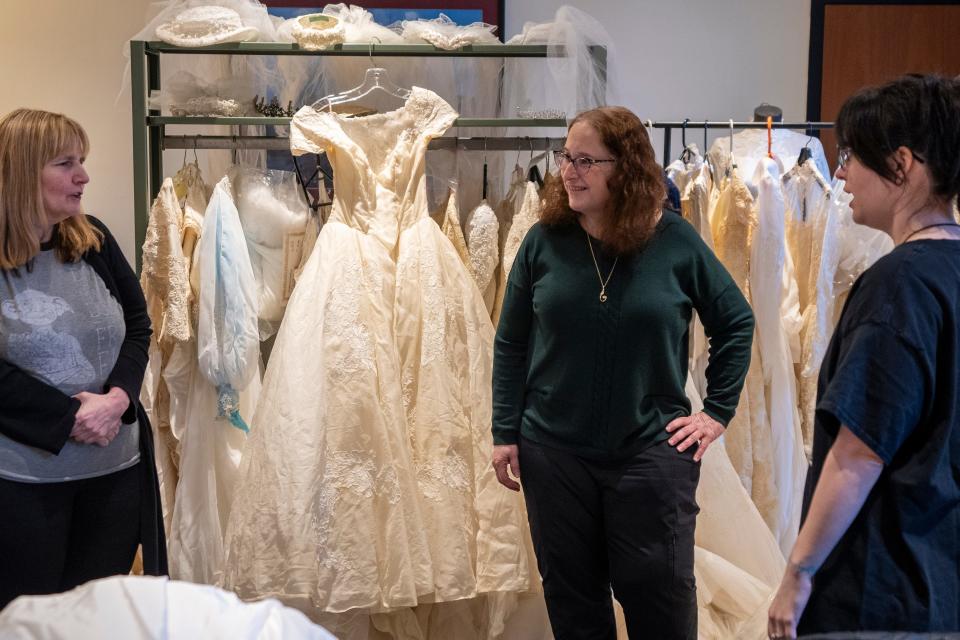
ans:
(628, 525)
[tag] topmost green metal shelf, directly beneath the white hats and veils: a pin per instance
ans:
(412, 50)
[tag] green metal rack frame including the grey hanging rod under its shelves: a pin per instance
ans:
(150, 139)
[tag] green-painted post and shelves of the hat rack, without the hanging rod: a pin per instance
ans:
(149, 124)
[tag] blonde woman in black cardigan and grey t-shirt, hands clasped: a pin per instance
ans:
(78, 487)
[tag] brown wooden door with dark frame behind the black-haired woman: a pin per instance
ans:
(862, 44)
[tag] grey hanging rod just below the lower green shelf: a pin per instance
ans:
(274, 143)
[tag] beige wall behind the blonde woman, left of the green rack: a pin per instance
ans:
(65, 56)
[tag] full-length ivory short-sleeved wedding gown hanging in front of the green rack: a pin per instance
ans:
(366, 481)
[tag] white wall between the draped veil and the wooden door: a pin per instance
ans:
(698, 59)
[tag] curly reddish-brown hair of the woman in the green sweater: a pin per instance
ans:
(636, 186)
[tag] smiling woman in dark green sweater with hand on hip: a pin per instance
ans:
(590, 362)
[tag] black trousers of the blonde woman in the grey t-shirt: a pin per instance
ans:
(56, 536)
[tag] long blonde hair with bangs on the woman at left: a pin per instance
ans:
(29, 139)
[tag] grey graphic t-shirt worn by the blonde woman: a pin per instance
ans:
(59, 323)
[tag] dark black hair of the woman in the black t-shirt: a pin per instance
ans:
(919, 112)
